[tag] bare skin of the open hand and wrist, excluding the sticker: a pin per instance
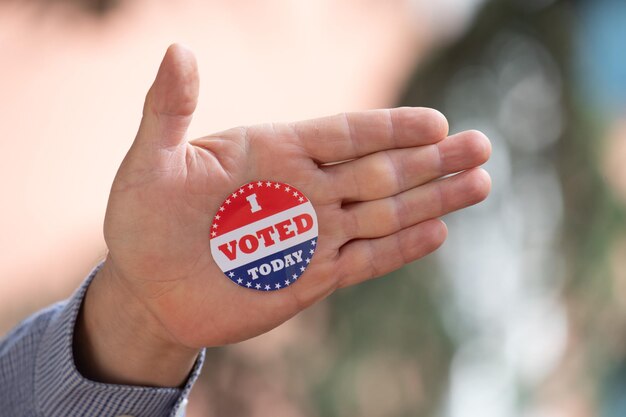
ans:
(160, 298)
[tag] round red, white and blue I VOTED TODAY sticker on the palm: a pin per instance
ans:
(264, 235)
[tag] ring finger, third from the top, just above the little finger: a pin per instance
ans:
(389, 215)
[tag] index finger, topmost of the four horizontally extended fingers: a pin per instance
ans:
(351, 135)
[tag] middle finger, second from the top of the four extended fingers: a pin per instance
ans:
(390, 172)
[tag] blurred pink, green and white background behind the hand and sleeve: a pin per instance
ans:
(521, 313)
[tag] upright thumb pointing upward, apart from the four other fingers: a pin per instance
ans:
(171, 100)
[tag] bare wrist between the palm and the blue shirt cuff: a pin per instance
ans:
(118, 340)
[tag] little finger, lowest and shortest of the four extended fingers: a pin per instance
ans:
(360, 260)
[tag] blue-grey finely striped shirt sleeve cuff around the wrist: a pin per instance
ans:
(38, 376)
